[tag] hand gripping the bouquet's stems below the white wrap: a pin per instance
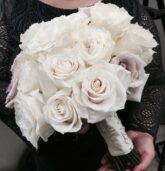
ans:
(145, 146)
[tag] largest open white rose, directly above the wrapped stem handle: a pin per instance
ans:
(101, 89)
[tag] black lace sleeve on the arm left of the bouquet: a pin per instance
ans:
(6, 115)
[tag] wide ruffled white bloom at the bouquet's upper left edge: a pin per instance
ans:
(52, 34)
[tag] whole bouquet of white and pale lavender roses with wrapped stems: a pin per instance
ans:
(81, 67)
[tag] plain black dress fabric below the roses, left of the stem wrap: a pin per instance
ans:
(69, 152)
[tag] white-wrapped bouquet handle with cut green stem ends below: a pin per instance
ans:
(120, 146)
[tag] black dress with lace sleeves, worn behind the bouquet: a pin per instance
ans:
(69, 151)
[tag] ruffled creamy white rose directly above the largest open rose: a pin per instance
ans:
(94, 43)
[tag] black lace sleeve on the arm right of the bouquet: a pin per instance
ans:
(144, 116)
